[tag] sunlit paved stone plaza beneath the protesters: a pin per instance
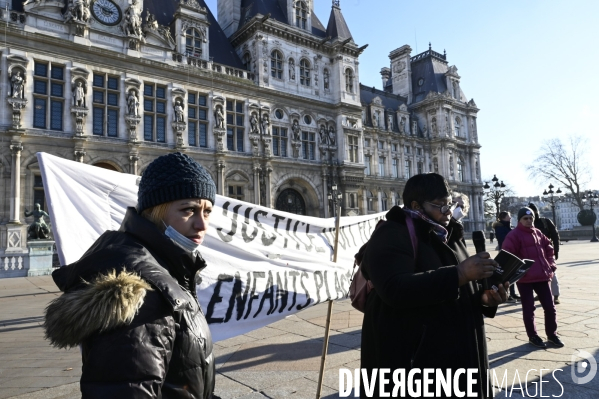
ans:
(282, 360)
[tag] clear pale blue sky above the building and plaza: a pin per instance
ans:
(531, 66)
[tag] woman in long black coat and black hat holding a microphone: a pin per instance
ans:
(426, 311)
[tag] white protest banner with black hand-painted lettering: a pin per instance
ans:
(263, 264)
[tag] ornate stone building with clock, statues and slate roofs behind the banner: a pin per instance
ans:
(268, 99)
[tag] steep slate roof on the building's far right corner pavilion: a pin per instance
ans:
(431, 66)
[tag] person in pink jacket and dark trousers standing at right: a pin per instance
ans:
(527, 242)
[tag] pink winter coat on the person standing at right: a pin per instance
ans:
(531, 243)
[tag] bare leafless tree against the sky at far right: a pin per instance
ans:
(565, 164)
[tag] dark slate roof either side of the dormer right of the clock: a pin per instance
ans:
(220, 48)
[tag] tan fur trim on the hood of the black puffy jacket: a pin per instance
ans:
(109, 301)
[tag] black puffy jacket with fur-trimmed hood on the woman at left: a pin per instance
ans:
(130, 303)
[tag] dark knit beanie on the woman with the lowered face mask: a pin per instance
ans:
(174, 177)
